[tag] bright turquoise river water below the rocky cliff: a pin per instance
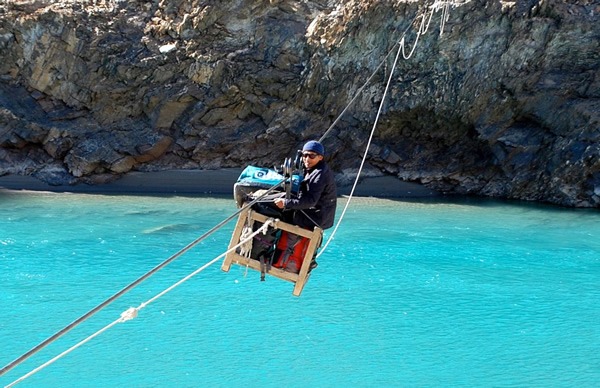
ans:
(410, 293)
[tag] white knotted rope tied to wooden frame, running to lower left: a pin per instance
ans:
(132, 312)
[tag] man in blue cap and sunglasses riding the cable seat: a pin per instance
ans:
(317, 198)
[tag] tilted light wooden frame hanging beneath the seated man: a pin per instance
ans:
(298, 279)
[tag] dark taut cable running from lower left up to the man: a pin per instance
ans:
(76, 322)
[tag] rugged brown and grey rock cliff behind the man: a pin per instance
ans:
(498, 99)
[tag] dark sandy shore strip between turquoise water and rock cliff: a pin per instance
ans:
(202, 182)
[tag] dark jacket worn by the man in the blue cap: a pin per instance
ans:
(317, 198)
